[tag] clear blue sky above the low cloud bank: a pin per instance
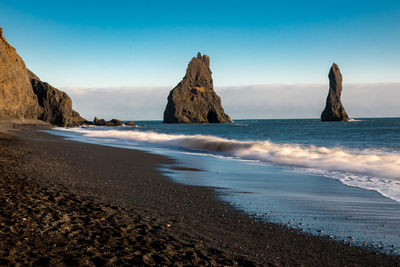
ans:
(149, 43)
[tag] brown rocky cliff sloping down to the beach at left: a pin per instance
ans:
(25, 96)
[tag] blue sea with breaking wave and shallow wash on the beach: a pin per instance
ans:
(337, 180)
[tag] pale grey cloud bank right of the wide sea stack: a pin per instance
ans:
(308, 100)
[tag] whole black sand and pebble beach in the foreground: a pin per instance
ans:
(69, 203)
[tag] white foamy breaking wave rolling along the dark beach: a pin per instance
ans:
(368, 169)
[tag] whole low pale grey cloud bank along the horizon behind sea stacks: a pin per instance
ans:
(241, 102)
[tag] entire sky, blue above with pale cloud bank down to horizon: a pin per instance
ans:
(259, 49)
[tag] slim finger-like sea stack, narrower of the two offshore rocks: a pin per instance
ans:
(334, 110)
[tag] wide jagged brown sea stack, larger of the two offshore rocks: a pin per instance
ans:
(194, 100)
